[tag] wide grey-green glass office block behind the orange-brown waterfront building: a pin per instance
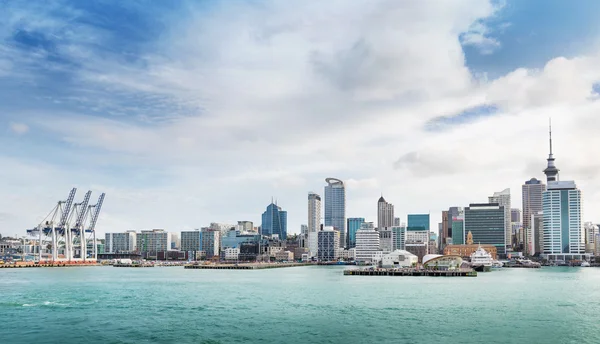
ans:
(487, 222)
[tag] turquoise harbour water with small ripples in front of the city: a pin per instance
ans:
(296, 305)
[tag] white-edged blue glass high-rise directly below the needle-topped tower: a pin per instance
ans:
(564, 236)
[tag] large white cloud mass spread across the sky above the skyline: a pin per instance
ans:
(291, 93)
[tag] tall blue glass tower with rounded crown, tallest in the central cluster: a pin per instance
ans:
(335, 207)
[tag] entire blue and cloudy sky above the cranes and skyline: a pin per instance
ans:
(191, 112)
